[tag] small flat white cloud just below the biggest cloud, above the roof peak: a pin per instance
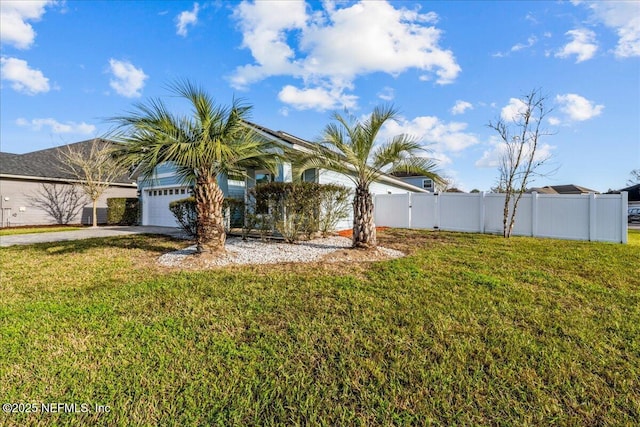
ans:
(319, 99)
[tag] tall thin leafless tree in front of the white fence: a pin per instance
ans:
(520, 160)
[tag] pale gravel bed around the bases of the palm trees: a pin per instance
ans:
(240, 251)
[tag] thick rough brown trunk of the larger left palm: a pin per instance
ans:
(210, 234)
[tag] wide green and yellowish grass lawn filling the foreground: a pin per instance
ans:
(467, 330)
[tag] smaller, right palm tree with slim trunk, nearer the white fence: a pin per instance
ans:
(349, 147)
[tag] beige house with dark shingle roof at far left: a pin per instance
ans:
(22, 177)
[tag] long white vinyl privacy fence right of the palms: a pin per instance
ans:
(595, 217)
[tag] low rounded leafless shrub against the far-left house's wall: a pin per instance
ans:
(62, 202)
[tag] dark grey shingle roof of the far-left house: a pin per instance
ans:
(45, 164)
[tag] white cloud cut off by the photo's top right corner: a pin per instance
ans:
(624, 18)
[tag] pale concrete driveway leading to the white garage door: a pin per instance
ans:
(87, 233)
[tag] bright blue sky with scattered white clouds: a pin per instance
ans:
(449, 67)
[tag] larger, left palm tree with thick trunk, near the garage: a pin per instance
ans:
(213, 140)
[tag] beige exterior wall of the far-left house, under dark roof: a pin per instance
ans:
(19, 210)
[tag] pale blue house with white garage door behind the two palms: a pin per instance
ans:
(165, 187)
